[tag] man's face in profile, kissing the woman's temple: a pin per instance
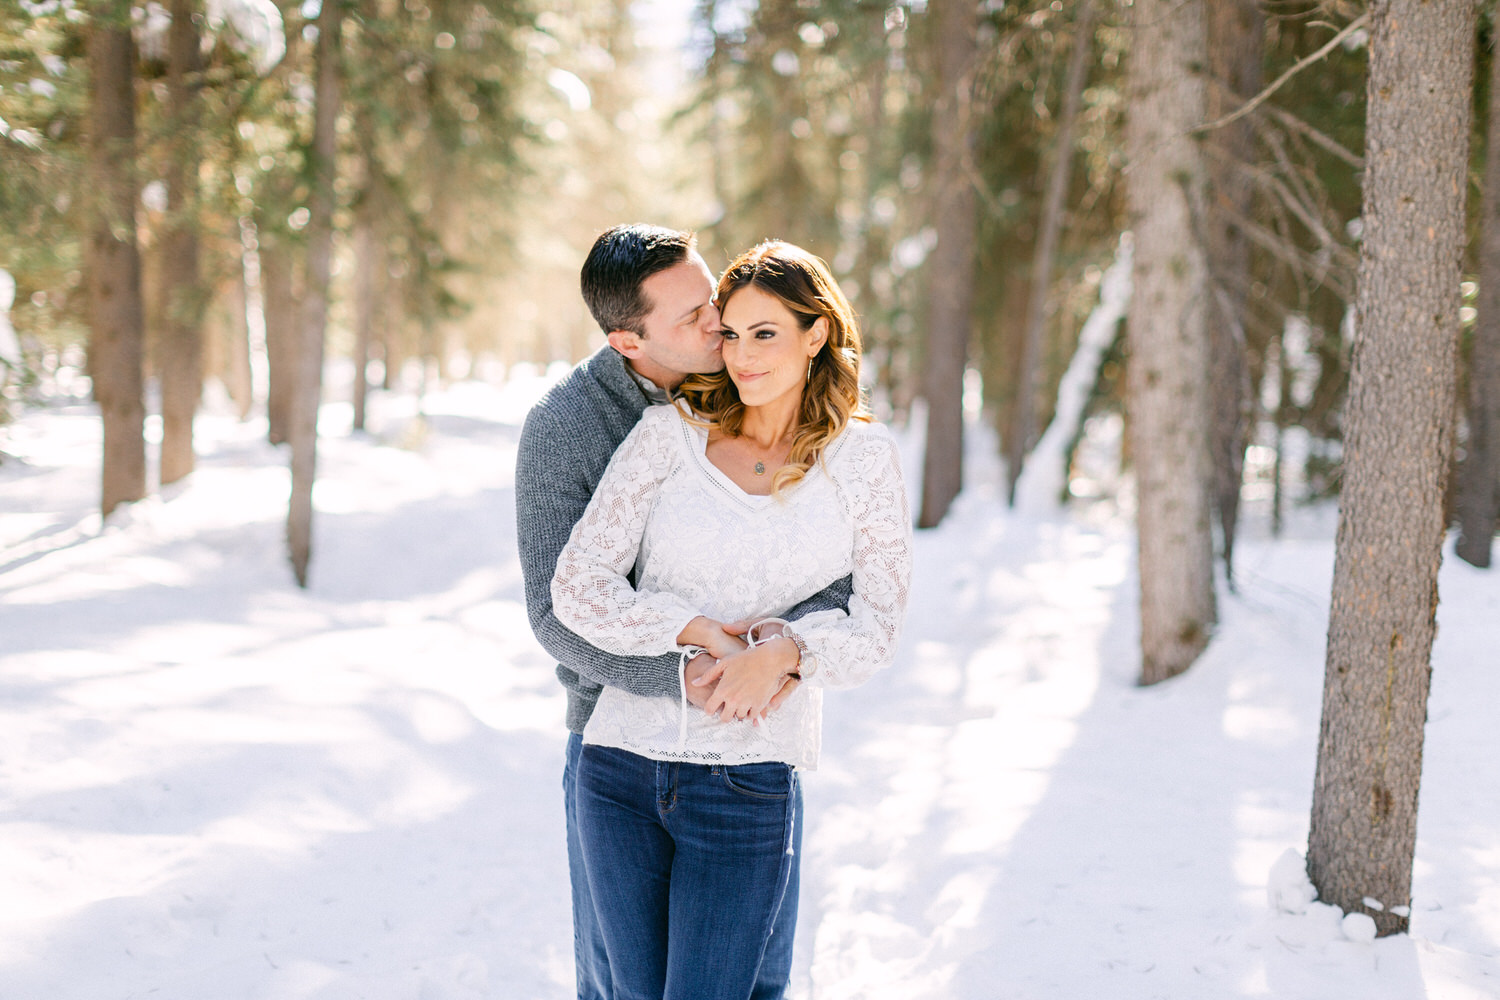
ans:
(682, 329)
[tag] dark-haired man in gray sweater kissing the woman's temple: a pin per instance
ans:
(652, 295)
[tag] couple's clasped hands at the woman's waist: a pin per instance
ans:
(736, 680)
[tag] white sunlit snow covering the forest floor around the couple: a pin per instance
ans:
(215, 785)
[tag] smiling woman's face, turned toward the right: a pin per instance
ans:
(766, 350)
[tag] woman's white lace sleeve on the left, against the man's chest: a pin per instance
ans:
(592, 590)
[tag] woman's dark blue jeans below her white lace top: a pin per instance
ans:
(692, 875)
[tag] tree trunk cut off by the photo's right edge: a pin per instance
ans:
(1478, 501)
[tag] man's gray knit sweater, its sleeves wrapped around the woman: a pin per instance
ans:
(566, 445)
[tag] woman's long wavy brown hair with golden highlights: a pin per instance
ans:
(832, 397)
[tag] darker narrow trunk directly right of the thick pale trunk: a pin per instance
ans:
(1235, 38)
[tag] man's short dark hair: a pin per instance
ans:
(622, 260)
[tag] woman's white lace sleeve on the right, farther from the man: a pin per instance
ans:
(848, 651)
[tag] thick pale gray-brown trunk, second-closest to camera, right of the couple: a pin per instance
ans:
(1168, 329)
